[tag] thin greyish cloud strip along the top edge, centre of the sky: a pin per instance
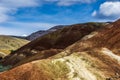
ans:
(70, 2)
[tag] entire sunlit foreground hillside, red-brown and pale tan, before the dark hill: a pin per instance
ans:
(95, 57)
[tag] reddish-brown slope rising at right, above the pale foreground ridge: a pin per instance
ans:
(108, 37)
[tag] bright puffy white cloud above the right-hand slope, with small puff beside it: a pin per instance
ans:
(109, 10)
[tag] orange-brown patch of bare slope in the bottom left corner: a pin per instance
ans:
(25, 72)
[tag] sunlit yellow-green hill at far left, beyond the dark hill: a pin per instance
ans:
(9, 44)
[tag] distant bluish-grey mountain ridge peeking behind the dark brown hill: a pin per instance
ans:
(40, 33)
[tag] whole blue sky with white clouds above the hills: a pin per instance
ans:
(23, 17)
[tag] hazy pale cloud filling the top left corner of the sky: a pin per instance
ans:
(10, 6)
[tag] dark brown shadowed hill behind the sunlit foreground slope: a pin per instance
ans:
(57, 40)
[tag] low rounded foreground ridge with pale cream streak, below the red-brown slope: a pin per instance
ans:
(79, 65)
